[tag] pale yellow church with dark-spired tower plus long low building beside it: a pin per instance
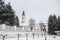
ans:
(36, 27)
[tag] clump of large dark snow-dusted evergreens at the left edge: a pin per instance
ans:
(7, 15)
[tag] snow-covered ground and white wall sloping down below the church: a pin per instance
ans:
(12, 35)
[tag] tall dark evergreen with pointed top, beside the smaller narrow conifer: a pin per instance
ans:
(10, 14)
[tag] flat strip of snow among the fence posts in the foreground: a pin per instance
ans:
(30, 37)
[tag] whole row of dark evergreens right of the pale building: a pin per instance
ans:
(53, 24)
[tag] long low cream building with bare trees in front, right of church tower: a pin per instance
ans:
(40, 27)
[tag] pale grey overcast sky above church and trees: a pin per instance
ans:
(37, 9)
